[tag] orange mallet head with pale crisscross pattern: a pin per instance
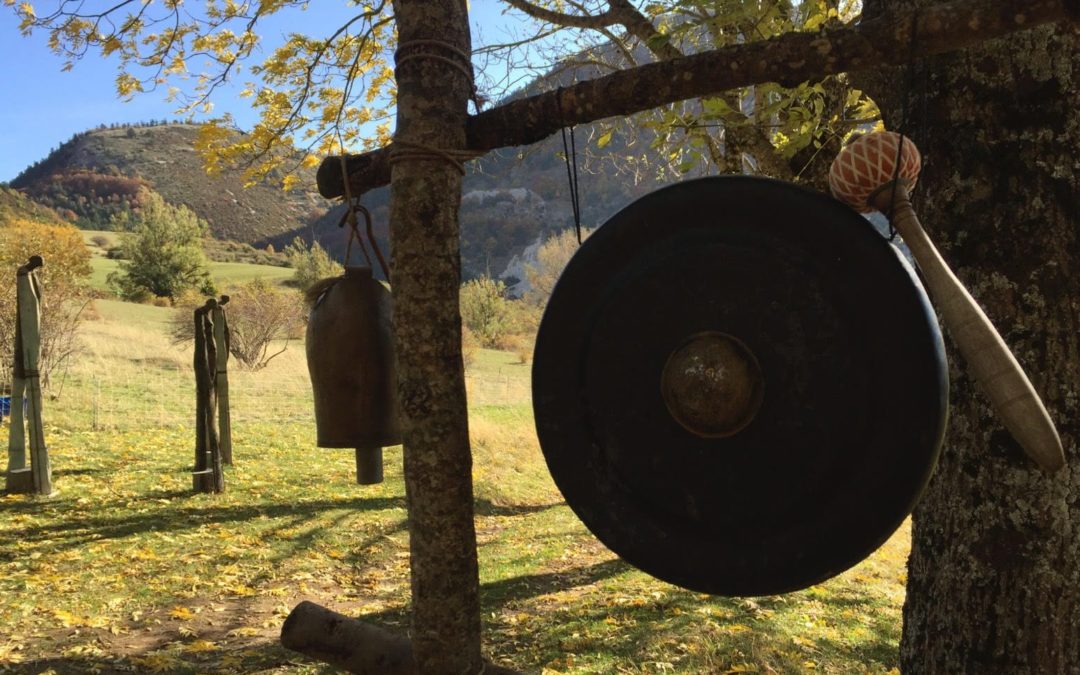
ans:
(868, 164)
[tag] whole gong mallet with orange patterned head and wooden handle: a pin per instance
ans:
(866, 177)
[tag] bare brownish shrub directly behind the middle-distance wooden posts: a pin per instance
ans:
(260, 315)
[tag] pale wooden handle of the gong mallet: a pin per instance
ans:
(992, 363)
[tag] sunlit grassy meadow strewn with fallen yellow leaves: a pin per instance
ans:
(127, 571)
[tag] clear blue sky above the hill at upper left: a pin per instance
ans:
(42, 106)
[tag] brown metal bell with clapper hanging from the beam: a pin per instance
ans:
(353, 364)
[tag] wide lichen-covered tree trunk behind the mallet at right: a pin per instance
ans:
(994, 576)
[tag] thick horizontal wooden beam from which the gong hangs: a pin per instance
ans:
(789, 60)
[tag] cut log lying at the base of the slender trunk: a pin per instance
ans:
(353, 646)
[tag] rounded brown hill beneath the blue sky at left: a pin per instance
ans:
(99, 173)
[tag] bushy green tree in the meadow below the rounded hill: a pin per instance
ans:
(164, 252)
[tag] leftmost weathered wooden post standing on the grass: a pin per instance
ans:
(26, 386)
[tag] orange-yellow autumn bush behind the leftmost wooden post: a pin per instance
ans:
(64, 281)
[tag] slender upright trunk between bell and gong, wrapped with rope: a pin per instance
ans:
(426, 194)
